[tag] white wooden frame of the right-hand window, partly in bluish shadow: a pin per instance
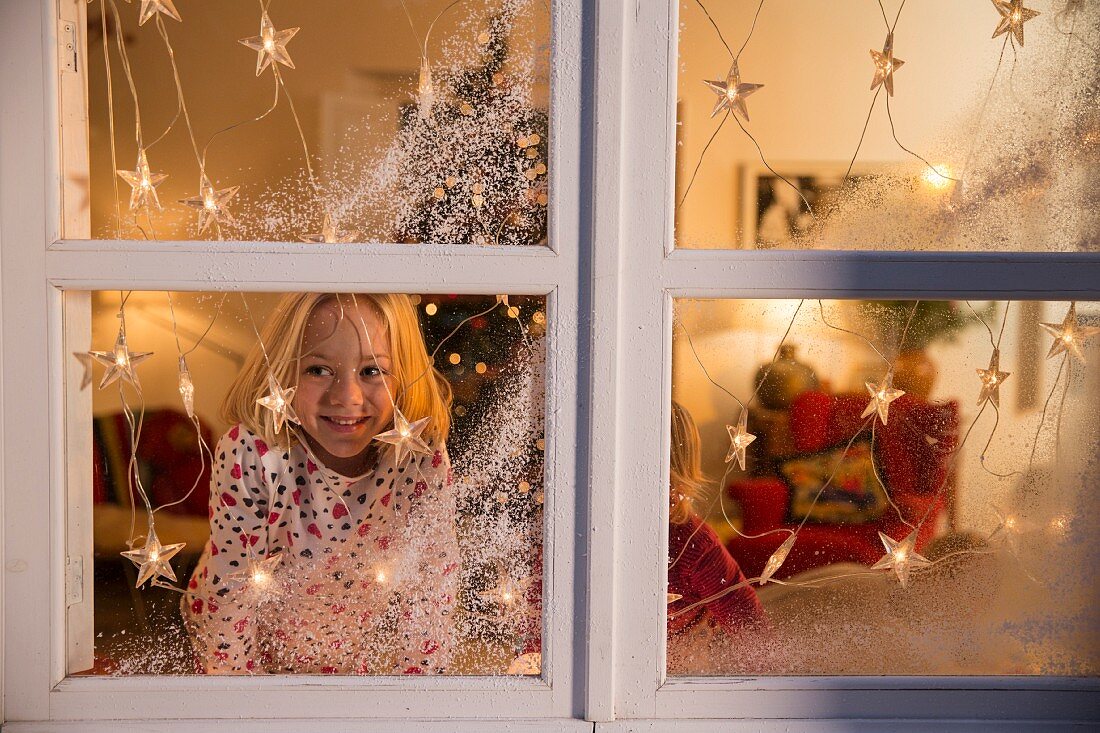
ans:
(634, 576)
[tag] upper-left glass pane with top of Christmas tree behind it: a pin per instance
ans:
(355, 123)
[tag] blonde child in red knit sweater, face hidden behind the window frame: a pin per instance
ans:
(700, 568)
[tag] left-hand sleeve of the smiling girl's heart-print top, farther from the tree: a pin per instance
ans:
(219, 615)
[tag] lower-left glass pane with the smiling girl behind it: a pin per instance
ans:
(392, 524)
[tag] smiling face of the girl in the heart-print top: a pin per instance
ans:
(343, 399)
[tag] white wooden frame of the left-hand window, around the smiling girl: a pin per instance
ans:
(46, 458)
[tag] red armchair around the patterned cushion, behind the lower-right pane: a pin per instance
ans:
(914, 455)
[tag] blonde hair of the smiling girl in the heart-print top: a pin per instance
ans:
(420, 390)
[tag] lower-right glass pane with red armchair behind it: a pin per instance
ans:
(884, 488)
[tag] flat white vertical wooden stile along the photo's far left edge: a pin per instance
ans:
(26, 29)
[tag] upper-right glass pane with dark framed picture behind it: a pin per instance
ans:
(978, 144)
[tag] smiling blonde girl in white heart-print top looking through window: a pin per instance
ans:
(333, 541)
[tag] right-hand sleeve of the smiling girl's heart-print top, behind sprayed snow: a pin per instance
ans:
(427, 622)
